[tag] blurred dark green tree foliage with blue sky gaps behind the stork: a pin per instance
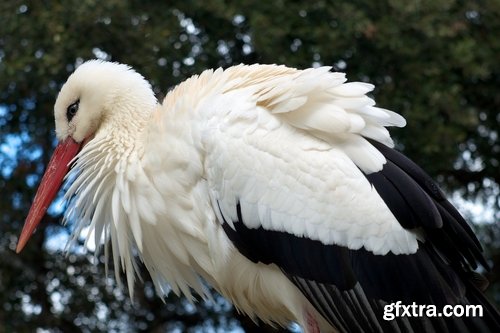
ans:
(434, 61)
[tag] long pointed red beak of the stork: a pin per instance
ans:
(49, 186)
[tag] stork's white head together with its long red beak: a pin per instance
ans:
(96, 94)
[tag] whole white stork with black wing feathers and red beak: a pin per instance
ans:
(279, 187)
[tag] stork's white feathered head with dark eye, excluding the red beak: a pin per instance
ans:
(96, 91)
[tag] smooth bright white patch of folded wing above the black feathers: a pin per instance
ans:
(311, 189)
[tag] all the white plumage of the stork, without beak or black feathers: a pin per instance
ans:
(272, 149)
